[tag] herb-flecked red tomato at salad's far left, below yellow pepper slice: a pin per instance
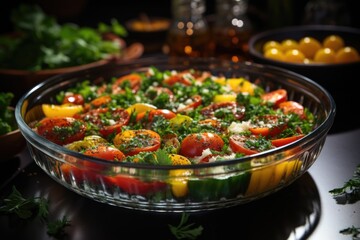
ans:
(61, 130)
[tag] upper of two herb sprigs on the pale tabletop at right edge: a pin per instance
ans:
(350, 190)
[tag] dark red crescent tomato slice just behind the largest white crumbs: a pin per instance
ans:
(237, 110)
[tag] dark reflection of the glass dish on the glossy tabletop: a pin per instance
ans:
(295, 211)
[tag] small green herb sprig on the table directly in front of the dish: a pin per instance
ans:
(184, 230)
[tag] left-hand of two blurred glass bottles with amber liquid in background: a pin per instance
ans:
(189, 32)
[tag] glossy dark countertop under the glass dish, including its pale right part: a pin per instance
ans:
(303, 210)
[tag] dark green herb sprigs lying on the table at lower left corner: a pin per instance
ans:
(25, 208)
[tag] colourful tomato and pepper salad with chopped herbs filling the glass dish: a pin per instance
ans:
(173, 118)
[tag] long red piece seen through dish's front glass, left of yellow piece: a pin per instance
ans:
(133, 185)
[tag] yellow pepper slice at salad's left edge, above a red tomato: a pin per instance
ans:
(63, 110)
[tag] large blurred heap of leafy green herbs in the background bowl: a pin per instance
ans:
(49, 45)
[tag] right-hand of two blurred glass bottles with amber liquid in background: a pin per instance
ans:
(232, 30)
